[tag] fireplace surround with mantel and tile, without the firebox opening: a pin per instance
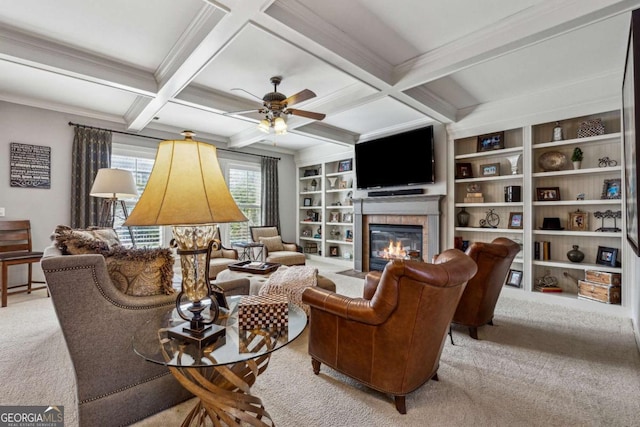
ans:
(415, 210)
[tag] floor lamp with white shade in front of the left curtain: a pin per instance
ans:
(113, 185)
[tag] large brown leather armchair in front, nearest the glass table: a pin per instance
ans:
(392, 338)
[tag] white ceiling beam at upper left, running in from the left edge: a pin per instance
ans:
(25, 49)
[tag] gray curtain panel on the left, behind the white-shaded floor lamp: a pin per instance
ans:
(91, 151)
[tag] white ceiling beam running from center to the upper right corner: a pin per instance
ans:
(530, 26)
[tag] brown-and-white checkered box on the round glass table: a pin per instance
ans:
(263, 311)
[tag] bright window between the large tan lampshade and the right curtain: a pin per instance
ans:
(244, 182)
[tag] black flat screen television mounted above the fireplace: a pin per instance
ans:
(403, 159)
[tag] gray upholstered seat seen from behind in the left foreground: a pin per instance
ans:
(115, 386)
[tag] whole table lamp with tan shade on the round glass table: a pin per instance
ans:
(186, 189)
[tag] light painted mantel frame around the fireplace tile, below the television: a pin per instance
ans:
(423, 205)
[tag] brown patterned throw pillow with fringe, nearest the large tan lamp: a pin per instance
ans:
(141, 271)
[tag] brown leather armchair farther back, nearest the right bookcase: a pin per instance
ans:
(479, 298)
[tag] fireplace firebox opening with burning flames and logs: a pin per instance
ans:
(389, 241)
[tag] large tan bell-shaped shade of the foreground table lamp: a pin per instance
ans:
(186, 187)
